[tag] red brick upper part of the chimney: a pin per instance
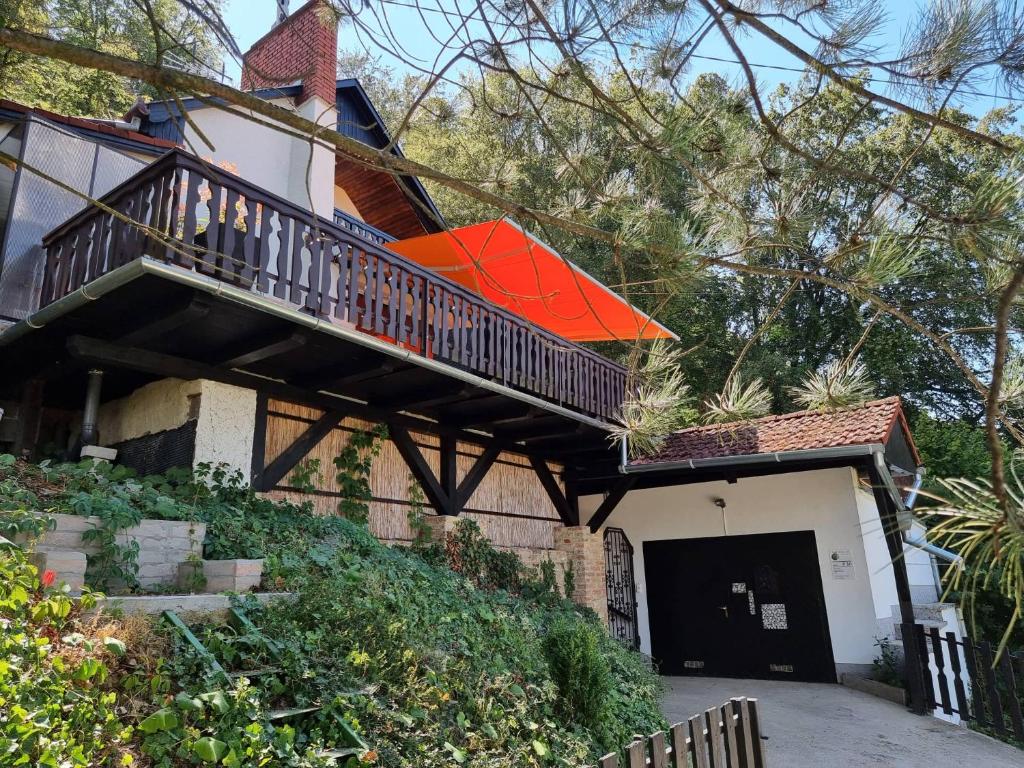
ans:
(302, 47)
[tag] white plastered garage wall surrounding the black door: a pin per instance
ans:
(823, 501)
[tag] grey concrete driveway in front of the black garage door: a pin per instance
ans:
(812, 726)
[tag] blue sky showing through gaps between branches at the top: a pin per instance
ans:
(250, 20)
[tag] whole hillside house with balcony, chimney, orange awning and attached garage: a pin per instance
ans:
(242, 296)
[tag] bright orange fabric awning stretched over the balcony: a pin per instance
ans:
(511, 269)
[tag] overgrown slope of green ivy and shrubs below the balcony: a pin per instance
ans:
(487, 667)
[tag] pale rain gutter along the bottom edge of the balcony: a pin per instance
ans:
(145, 266)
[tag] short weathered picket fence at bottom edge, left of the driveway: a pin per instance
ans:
(727, 737)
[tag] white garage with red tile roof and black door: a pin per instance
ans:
(779, 548)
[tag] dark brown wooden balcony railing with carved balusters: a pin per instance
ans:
(184, 211)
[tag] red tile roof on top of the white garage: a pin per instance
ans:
(860, 425)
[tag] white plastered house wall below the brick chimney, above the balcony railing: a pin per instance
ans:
(272, 160)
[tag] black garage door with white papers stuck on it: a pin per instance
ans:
(739, 607)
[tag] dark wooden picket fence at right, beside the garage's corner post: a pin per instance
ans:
(969, 681)
